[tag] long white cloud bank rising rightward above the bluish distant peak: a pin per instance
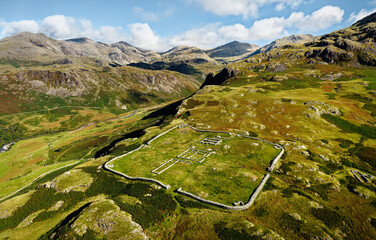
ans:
(264, 29)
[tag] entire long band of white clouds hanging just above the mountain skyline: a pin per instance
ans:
(210, 35)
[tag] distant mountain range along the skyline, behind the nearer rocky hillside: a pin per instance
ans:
(40, 48)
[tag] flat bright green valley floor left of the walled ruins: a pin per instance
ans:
(28, 159)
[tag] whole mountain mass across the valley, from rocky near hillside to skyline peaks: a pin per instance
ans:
(83, 71)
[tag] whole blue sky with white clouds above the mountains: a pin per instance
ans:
(162, 24)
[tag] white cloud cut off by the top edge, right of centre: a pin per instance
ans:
(243, 8)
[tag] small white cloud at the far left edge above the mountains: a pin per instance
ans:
(10, 28)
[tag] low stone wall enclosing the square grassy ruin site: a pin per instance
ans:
(252, 197)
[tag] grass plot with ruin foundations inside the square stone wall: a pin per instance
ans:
(229, 174)
